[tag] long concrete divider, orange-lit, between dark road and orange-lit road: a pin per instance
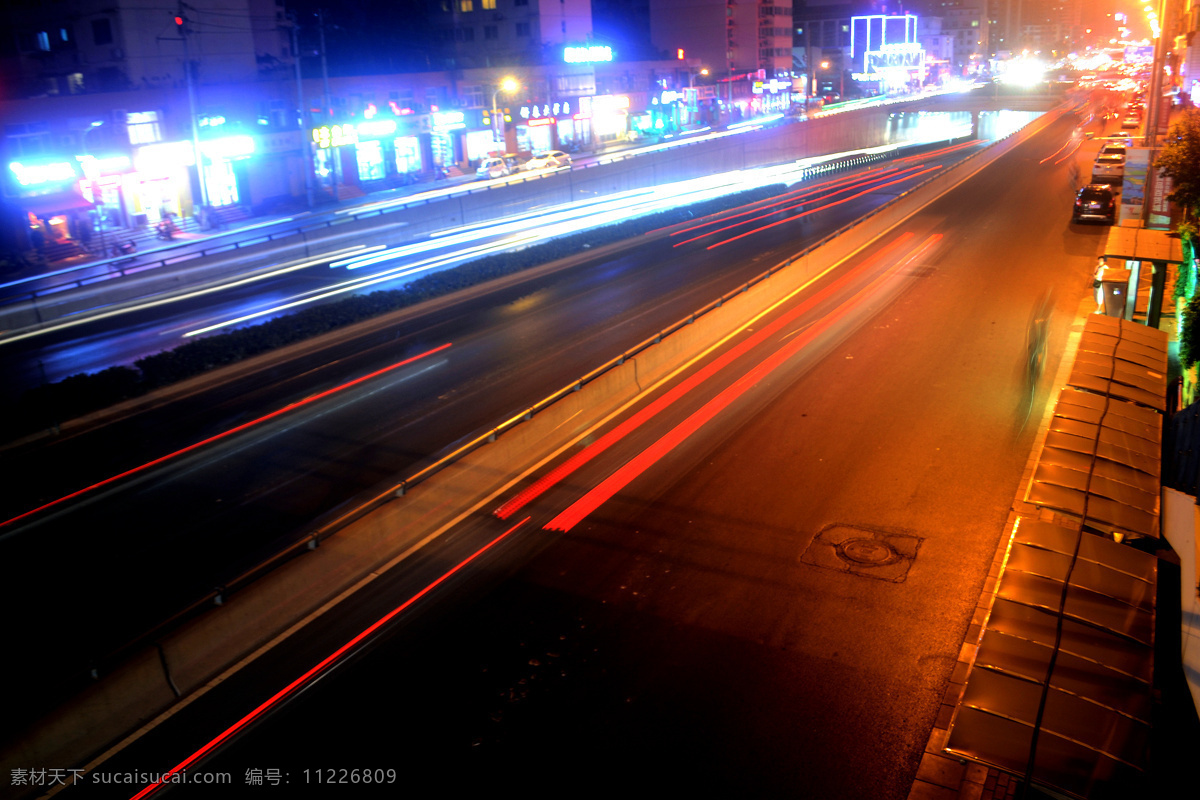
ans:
(257, 613)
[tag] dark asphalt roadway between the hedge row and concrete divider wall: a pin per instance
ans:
(214, 513)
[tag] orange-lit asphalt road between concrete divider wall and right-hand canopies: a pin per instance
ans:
(770, 600)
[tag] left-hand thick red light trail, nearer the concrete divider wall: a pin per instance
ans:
(608, 441)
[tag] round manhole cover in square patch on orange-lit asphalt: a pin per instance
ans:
(872, 554)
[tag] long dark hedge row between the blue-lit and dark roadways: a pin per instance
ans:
(52, 404)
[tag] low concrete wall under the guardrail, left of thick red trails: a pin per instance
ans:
(199, 652)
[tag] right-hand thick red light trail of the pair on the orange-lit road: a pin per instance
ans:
(652, 455)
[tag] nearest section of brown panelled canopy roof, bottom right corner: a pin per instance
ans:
(1066, 658)
